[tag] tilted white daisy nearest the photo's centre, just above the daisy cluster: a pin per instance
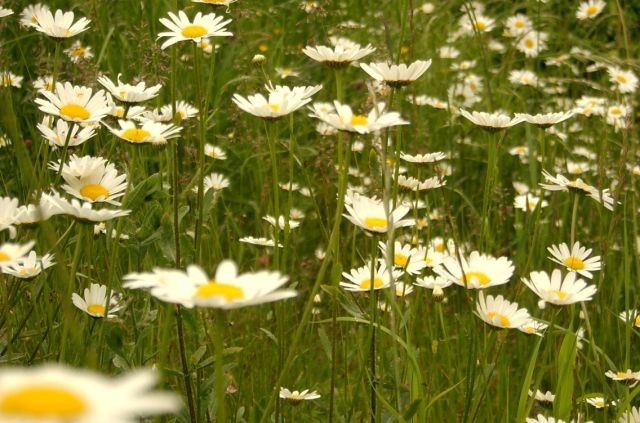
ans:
(369, 214)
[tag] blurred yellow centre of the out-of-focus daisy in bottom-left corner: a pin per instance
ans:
(42, 402)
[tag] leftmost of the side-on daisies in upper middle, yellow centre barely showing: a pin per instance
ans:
(280, 101)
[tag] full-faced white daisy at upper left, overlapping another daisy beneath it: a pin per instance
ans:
(74, 103)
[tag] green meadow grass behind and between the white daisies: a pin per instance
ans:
(372, 356)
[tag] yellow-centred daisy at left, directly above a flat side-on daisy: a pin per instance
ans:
(92, 179)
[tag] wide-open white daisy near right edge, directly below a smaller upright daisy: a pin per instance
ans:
(556, 290)
